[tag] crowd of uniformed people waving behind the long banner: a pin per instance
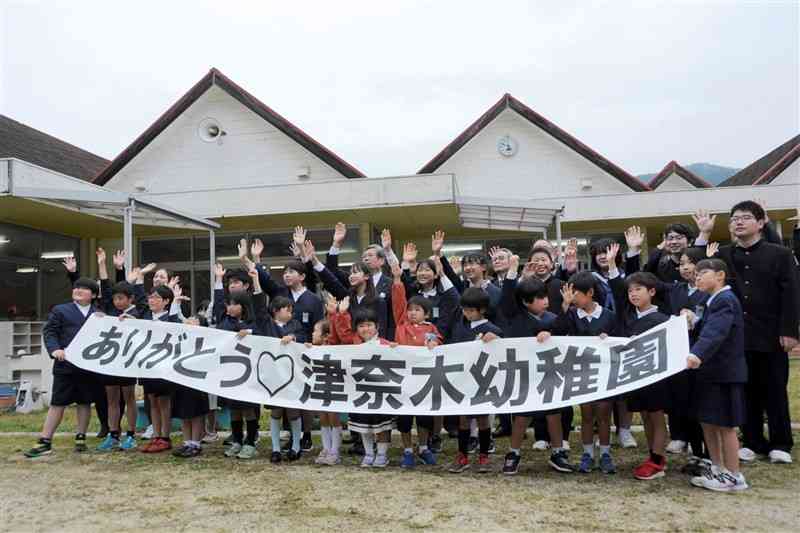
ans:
(406, 301)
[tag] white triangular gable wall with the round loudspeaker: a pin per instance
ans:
(253, 152)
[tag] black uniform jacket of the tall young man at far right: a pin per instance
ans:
(765, 280)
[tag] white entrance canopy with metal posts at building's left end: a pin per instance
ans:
(23, 180)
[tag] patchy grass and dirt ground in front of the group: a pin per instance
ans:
(133, 491)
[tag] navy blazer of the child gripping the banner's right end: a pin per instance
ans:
(720, 341)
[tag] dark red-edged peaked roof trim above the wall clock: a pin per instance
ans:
(508, 101)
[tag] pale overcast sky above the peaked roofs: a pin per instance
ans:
(386, 85)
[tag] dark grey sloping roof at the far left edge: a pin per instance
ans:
(34, 146)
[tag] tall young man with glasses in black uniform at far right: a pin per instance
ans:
(765, 279)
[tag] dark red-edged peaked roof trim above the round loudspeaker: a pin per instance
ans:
(215, 77)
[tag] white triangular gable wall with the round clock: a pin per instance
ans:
(542, 167)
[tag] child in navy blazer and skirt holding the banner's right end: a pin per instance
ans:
(719, 358)
